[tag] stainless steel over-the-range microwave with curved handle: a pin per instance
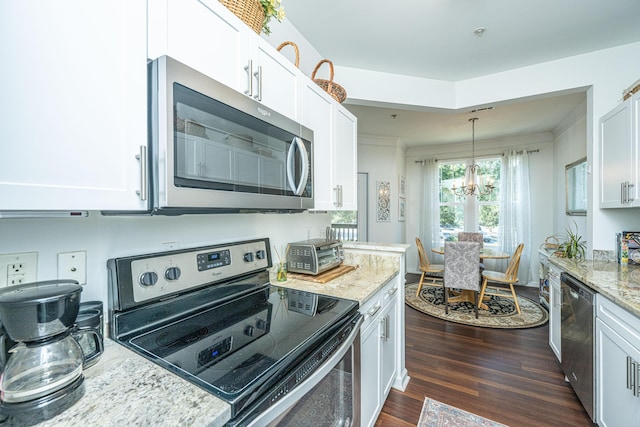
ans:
(213, 149)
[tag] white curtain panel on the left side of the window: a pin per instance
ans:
(430, 210)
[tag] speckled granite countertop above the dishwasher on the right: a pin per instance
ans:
(620, 284)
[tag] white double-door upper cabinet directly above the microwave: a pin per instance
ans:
(209, 38)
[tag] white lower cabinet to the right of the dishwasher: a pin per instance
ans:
(617, 366)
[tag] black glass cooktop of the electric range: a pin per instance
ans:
(239, 347)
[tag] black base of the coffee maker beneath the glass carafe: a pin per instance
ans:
(44, 408)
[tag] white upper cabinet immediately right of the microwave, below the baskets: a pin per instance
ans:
(335, 149)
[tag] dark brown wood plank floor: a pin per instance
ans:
(509, 376)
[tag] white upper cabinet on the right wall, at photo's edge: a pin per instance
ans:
(619, 162)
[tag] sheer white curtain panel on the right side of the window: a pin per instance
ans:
(515, 212)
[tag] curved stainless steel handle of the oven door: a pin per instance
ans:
(273, 412)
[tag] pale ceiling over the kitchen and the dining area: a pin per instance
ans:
(437, 39)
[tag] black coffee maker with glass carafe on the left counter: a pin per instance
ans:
(42, 375)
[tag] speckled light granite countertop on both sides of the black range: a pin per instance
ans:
(125, 389)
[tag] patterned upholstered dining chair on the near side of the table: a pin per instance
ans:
(461, 269)
